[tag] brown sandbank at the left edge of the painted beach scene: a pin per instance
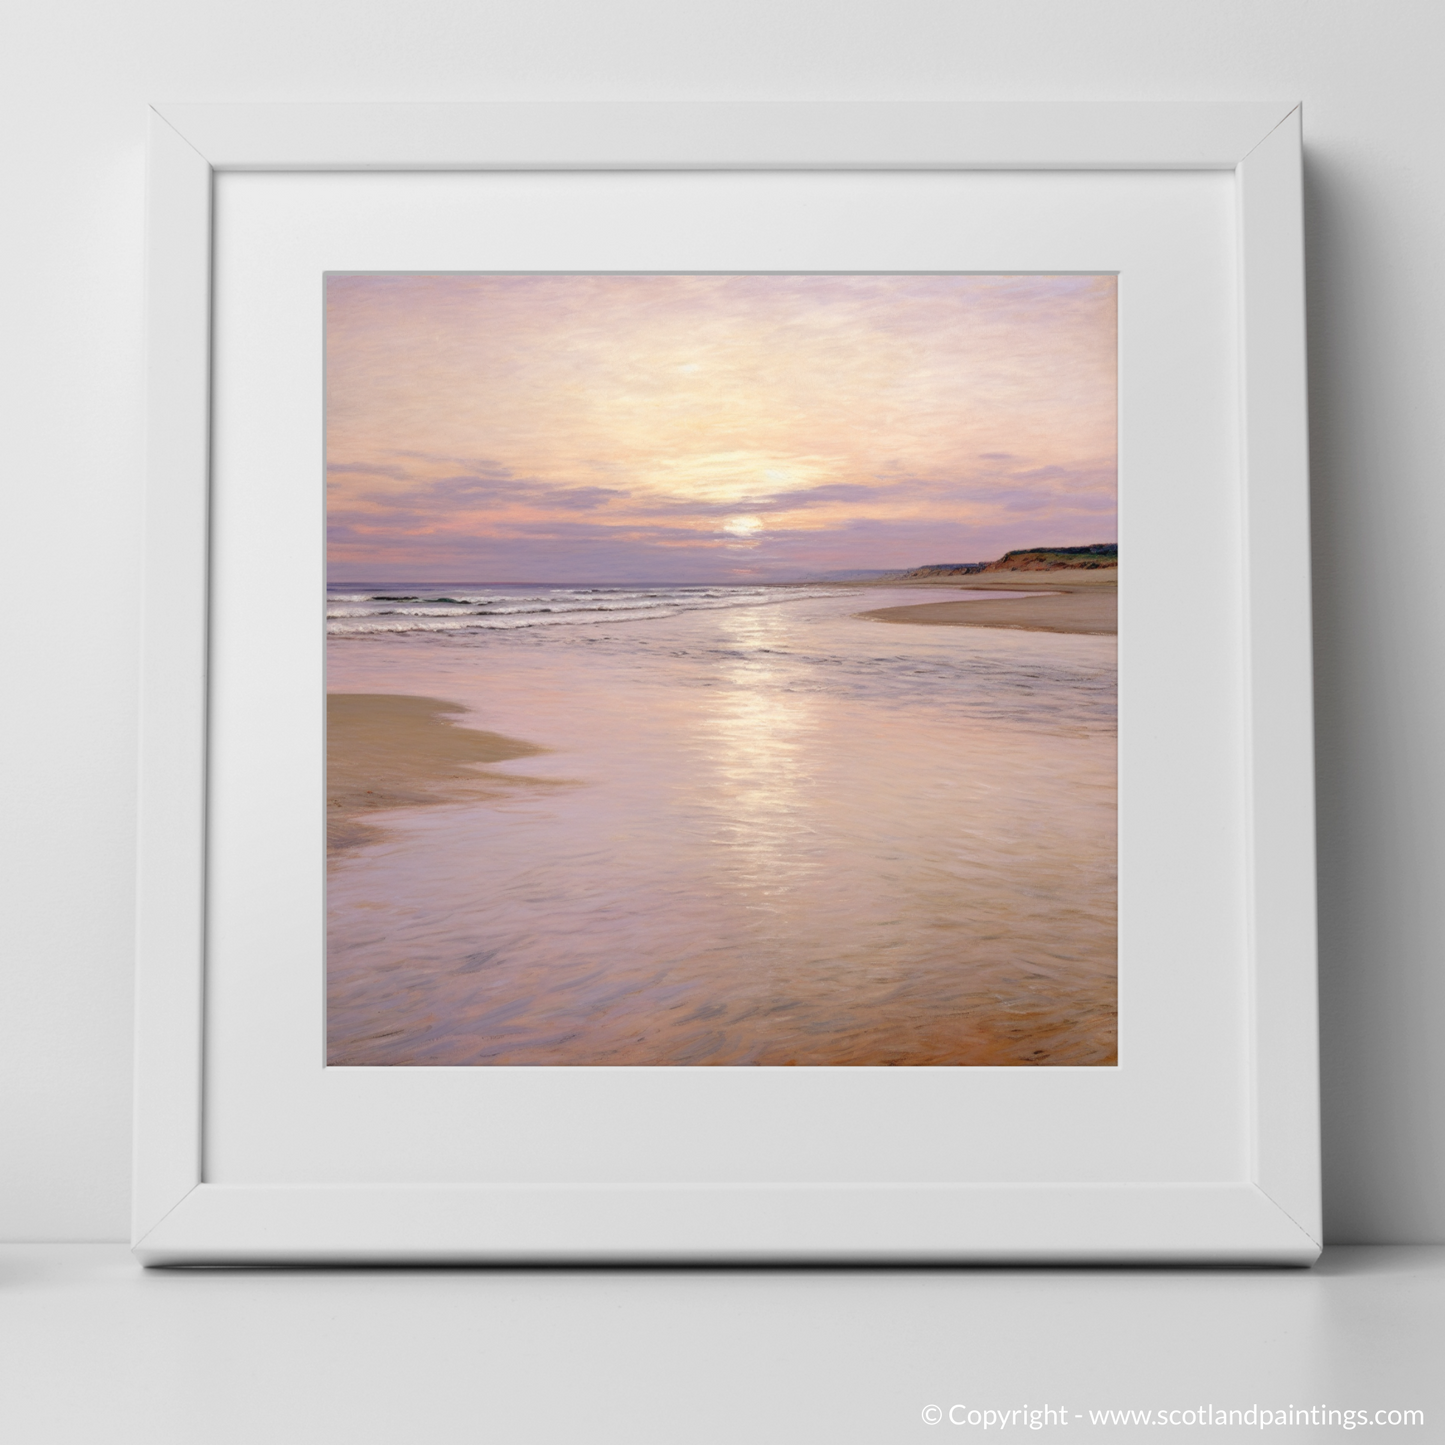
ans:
(391, 751)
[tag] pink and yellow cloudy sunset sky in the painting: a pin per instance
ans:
(713, 428)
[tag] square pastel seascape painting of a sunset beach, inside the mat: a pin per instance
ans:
(722, 670)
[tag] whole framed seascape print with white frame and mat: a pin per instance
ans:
(639, 762)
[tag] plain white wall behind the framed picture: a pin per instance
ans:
(76, 77)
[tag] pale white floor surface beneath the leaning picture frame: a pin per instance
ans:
(96, 1350)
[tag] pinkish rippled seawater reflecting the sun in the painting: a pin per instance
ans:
(765, 832)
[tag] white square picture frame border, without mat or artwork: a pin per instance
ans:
(1268, 1215)
